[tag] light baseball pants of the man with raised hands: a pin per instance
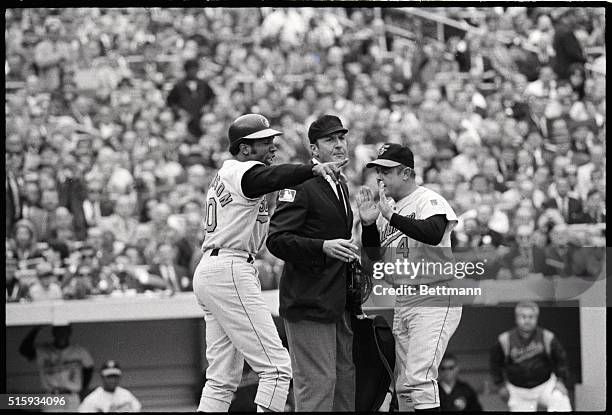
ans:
(422, 329)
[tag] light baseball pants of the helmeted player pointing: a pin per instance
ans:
(239, 327)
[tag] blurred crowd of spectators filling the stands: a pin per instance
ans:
(116, 121)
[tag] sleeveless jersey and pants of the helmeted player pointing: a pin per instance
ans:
(239, 325)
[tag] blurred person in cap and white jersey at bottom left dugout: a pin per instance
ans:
(110, 397)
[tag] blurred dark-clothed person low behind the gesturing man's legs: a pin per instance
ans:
(455, 394)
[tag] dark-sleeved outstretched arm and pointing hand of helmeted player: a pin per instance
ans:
(261, 180)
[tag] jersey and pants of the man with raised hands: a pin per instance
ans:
(422, 325)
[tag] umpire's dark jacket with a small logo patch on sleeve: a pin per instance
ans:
(313, 285)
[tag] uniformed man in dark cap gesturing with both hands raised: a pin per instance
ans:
(417, 229)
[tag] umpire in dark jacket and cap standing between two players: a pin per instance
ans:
(311, 232)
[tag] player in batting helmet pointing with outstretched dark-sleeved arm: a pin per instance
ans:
(239, 325)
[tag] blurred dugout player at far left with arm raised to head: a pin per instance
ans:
(64, 368)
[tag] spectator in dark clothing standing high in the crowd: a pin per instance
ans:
(190, 96)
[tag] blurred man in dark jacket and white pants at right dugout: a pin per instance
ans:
(529, 365)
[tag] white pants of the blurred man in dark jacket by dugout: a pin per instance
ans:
(527, 399)
